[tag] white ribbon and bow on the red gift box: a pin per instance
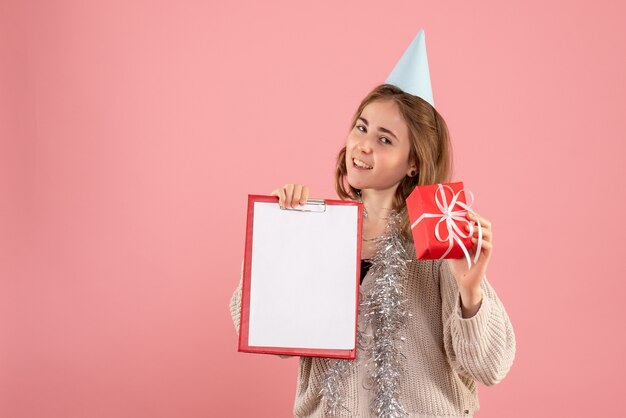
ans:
(449, 216)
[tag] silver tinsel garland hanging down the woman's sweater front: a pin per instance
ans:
(385, 309)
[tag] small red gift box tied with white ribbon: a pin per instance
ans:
(438, 215)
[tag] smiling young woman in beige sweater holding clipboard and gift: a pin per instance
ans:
(456, 330)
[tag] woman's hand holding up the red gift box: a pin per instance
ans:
(469, 280)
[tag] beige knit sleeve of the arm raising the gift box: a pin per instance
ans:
(481, 347)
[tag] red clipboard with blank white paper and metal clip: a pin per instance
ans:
(301, 278)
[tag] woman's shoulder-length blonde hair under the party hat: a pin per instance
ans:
(430, 148)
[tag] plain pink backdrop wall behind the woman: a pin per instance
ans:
(132, 131)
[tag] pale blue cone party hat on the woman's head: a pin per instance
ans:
(411, 72)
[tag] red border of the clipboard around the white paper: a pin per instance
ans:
(349, 354)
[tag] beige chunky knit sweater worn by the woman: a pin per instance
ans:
(445, 353)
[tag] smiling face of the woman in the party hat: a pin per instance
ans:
(380, 139)
